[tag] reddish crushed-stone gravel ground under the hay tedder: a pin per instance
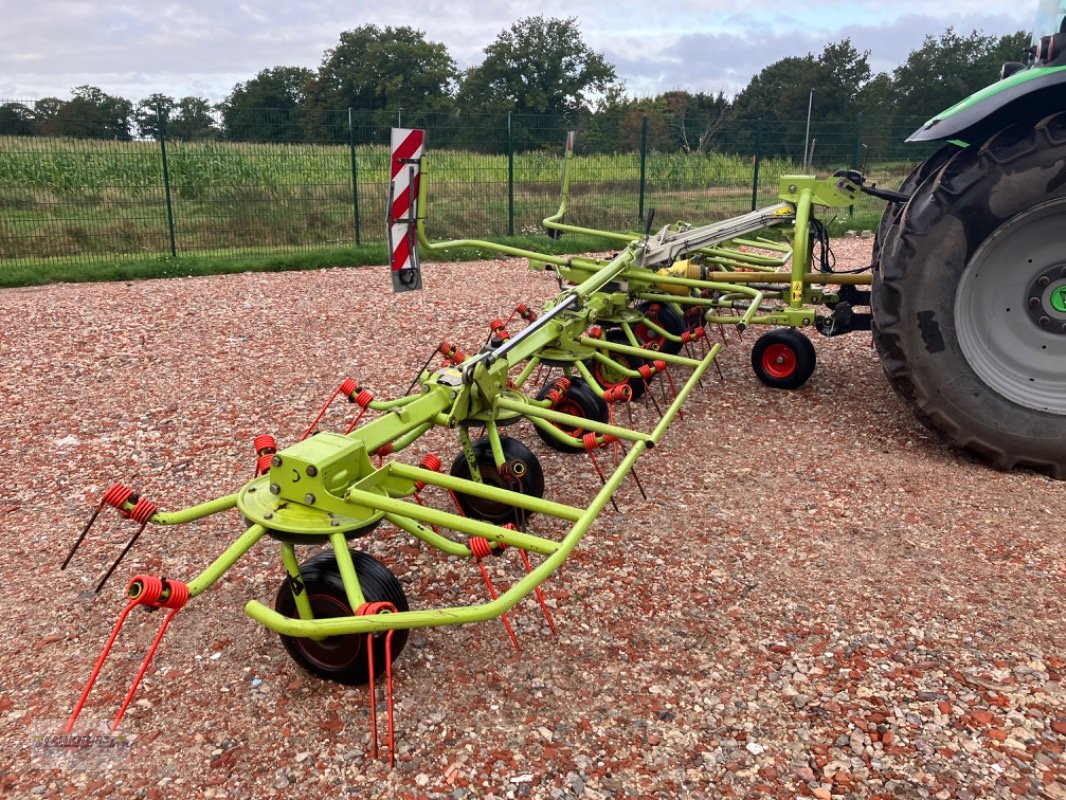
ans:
(821, 599)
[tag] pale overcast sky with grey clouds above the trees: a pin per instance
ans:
(205, 47)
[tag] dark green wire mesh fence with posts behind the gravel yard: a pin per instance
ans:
(322, 181)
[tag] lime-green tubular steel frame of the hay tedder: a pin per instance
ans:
(327, 488)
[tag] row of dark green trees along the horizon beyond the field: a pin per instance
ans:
(540, 71)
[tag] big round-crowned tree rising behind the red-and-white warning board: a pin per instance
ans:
(381, 70)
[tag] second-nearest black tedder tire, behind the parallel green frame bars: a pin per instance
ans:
(531, 482)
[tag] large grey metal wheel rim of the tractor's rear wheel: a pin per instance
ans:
(1009, 323)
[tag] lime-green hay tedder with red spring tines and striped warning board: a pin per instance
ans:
(619, 325)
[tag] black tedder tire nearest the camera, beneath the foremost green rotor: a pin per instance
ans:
(342, 659)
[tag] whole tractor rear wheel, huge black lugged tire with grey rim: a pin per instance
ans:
(970, 301)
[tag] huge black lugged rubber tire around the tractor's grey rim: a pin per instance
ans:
(973, 200)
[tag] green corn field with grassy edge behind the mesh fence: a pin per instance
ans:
(87, 200)
